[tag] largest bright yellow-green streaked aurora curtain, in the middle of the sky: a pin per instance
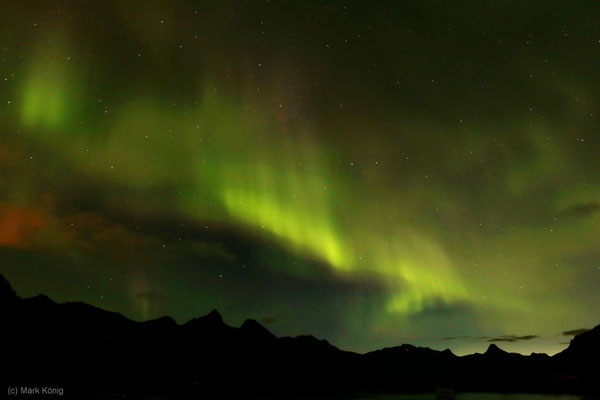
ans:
(292, 203)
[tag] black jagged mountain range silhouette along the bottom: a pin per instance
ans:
(91, 352)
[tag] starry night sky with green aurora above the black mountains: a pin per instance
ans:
(371, 173)
